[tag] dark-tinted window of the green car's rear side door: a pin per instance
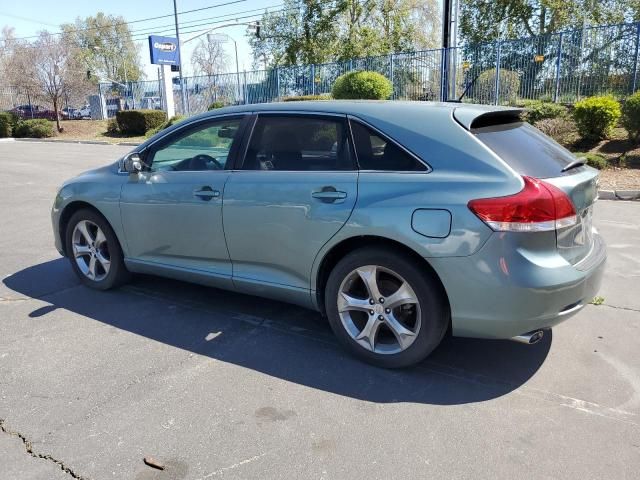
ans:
(298, 143)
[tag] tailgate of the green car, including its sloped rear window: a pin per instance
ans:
(529, 152)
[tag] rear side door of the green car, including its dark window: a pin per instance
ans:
(294, 190)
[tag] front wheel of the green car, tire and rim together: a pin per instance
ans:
(89, 251)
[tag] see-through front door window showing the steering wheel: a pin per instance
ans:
(206, 148)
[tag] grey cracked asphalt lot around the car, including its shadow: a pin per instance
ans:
(219, 385)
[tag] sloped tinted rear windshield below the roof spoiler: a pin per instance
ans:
(527, 150)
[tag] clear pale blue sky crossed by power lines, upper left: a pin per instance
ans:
(28, 17)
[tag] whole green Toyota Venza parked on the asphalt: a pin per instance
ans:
(397, 220)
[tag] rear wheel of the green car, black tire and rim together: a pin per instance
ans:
(406, 326)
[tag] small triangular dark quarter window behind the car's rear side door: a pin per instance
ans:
(375, 152)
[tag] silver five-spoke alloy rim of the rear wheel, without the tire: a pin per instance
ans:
(379, 309)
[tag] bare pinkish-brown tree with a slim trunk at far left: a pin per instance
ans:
(49, 68)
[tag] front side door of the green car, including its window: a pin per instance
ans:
(172, 211)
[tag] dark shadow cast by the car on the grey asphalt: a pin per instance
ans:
(281, 340)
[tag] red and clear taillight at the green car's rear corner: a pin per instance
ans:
(538, 207)
